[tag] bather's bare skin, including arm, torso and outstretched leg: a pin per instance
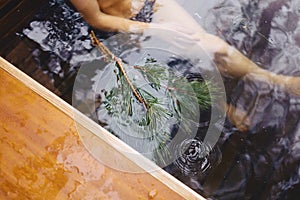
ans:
(114, 15)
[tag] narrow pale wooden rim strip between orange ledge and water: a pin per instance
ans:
(82, 120)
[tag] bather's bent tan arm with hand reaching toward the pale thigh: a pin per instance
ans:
(92, 14)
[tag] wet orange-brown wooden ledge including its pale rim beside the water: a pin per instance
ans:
(41, 154)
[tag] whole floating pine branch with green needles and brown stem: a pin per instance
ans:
(149, 106)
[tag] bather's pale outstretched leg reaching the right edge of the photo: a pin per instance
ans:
(229, 60)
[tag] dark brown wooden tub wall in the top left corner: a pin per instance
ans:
(15, 15)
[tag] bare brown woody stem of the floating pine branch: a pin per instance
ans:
(111, 57)
